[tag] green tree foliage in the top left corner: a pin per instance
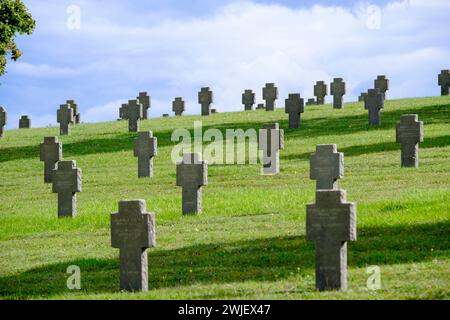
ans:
(14, 19)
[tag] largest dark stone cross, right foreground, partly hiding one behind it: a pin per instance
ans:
(330, 223)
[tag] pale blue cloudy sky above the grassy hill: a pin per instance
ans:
(172, 48)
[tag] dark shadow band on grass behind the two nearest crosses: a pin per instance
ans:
(256, 260)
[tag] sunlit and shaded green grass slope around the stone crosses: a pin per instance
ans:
(249, 243)
